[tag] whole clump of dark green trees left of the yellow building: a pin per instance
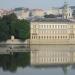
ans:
(10, 25)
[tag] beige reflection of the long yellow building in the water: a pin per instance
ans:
(52, 54)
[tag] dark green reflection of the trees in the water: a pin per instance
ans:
(12, 62)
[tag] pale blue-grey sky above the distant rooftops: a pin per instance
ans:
(34, 3)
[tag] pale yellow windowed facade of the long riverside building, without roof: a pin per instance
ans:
(52, 32)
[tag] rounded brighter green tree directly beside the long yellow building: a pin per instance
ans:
(22, 29)
